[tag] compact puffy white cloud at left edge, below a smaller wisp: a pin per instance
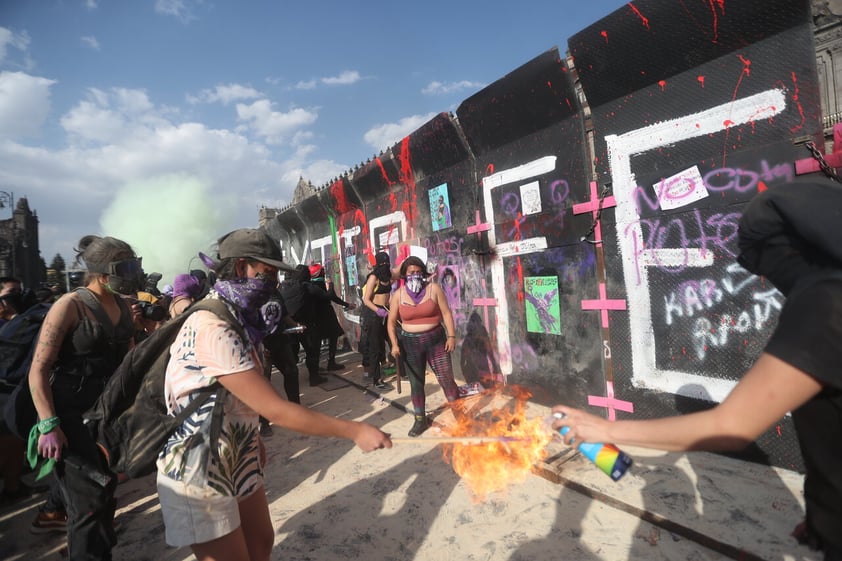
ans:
(24, 104)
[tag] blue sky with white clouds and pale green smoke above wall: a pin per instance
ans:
(170, 122)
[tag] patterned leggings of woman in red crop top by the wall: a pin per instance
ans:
(418, 350)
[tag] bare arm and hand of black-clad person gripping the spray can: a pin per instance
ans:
(769, 390)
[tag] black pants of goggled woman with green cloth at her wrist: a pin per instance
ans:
(86, 484)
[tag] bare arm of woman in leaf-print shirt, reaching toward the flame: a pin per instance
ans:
(253, 389)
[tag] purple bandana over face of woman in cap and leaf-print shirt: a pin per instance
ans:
(253, 301)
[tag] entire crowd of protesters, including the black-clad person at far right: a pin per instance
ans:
(222, 513)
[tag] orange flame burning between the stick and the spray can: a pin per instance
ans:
(491, 467)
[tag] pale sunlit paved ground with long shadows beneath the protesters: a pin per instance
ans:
(330, 501)
